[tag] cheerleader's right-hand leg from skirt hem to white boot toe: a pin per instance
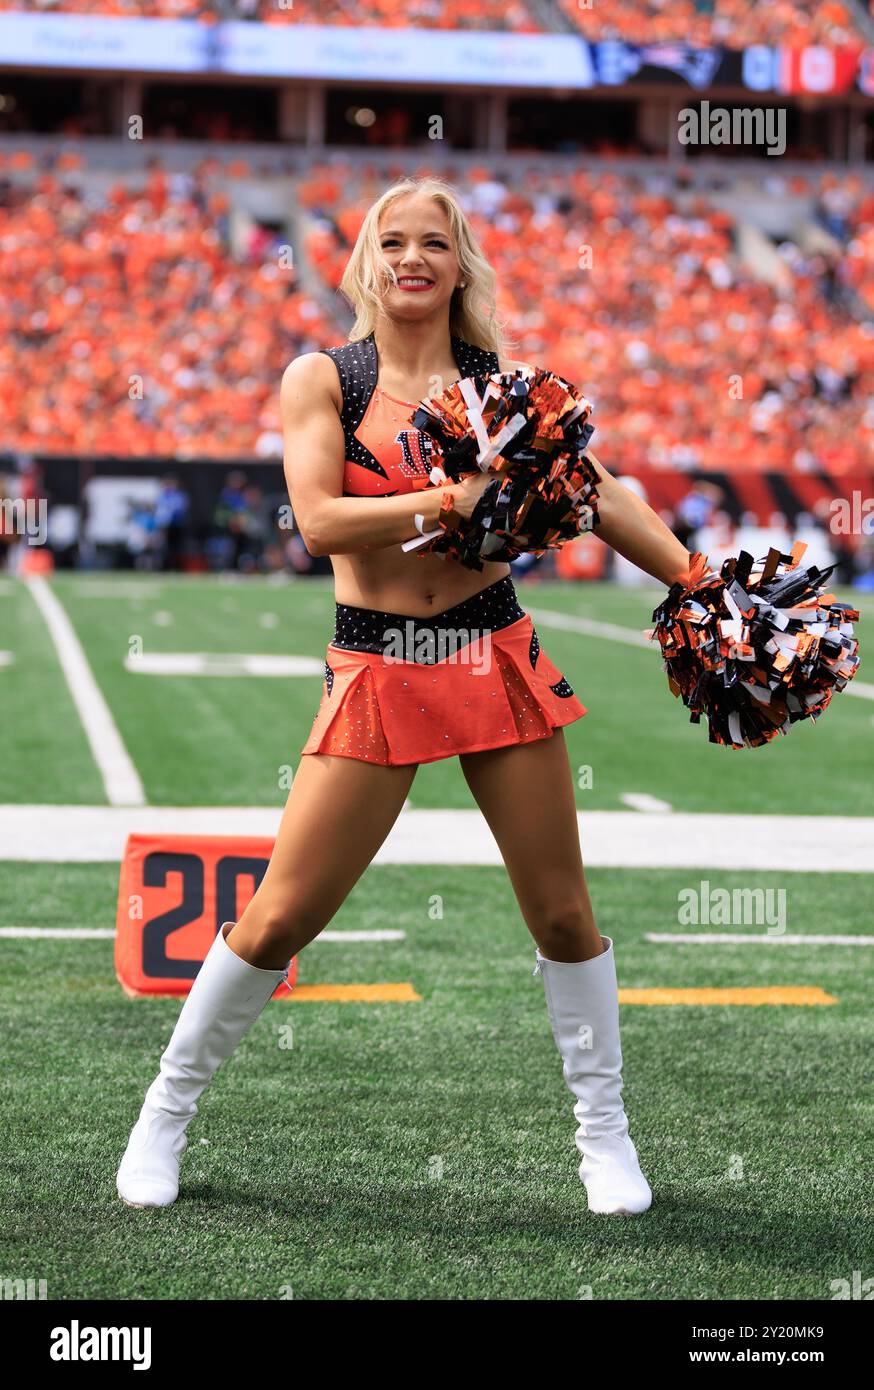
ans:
(527, 797)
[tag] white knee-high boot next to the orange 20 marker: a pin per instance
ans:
(224, 1001)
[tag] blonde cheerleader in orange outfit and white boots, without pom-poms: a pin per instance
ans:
(429, 660)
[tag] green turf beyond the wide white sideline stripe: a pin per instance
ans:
(223, 742)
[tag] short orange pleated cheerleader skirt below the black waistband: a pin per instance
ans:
(498, 690)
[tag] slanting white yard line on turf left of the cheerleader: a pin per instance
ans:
(120, 776)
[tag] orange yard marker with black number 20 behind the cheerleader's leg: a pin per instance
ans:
(174, 893)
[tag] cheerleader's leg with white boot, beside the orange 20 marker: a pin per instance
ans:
(337, 815)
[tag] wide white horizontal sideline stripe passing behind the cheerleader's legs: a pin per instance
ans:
(611, 839)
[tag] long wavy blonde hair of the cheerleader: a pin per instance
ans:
(472, 309)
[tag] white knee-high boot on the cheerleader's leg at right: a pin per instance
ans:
(583, 1001)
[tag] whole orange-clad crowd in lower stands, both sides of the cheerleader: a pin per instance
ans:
(623, 283)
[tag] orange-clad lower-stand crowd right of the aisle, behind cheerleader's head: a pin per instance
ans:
(632, 288)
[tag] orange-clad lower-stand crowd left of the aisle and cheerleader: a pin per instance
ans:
(129, 327)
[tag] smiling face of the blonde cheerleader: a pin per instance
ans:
(416, 241)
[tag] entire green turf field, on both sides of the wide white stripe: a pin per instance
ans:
(426, 1150)
